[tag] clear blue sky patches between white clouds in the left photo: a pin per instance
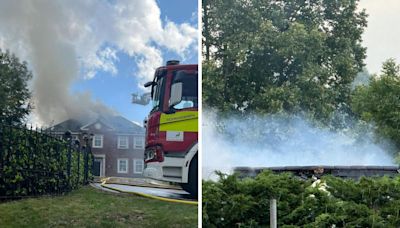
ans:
(115, 90)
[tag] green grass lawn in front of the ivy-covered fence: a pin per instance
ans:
(89, 207)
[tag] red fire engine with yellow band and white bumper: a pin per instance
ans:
(172, 126)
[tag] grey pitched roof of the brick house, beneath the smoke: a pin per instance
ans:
(117, 123)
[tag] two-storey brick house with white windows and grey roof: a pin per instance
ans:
(117, 145)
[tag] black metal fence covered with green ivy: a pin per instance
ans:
(37, 162)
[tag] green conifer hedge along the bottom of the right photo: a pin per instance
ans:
(332, 202)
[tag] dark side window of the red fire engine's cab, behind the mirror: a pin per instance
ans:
(189, 91)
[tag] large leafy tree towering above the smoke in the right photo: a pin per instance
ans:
(273, 56)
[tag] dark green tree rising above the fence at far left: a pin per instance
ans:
(14, 92)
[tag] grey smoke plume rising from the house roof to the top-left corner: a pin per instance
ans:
(35, 32)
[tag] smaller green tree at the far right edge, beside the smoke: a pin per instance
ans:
(379, 101)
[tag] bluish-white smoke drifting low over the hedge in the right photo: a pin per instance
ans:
(267, 141)
